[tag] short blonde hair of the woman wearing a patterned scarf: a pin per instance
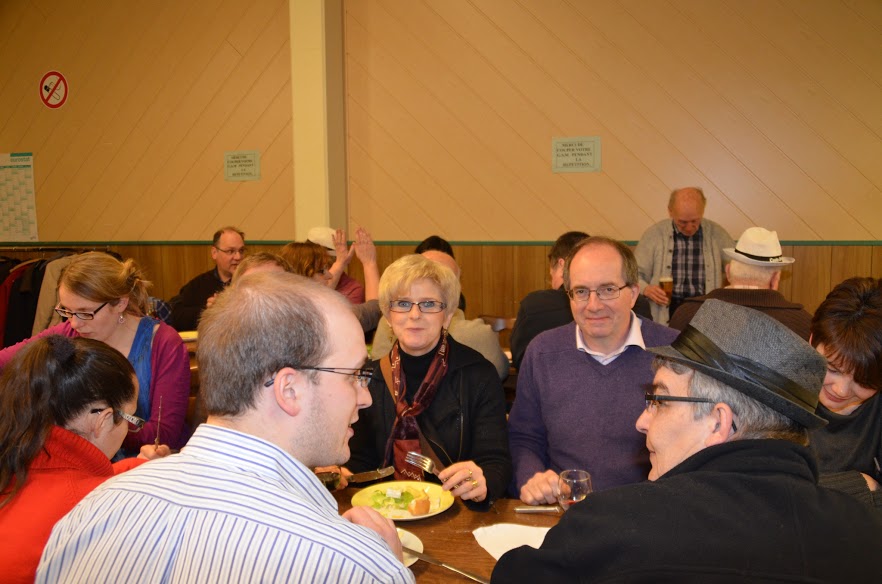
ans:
(403, 272)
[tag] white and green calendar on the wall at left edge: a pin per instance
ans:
(18, 208)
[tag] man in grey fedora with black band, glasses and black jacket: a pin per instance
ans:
(732, 495)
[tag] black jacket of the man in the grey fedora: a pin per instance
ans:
(744, 511)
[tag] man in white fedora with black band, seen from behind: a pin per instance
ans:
(754, 274)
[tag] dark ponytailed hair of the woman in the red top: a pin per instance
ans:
(50, 382)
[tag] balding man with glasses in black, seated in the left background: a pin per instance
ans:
(227, 250)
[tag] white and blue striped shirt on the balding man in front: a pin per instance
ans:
(229, 508)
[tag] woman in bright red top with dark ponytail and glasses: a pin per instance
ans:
(66, 404)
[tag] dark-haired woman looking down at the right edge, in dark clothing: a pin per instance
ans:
(847, 330)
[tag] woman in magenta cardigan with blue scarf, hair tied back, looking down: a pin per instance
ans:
(105, 299)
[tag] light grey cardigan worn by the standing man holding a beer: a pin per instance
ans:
(655, 253)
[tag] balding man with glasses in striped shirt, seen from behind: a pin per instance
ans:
(281, 362)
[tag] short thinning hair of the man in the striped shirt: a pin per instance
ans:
(263, 322)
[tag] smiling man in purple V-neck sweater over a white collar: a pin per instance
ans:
(582, 385)
